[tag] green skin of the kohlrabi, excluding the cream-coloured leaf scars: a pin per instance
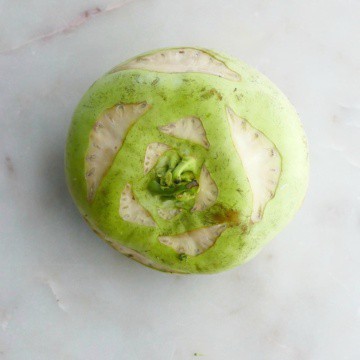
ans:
(174, 96)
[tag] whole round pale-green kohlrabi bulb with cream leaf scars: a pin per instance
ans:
(186, 160)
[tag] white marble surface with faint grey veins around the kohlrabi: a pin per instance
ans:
(64, 294)
